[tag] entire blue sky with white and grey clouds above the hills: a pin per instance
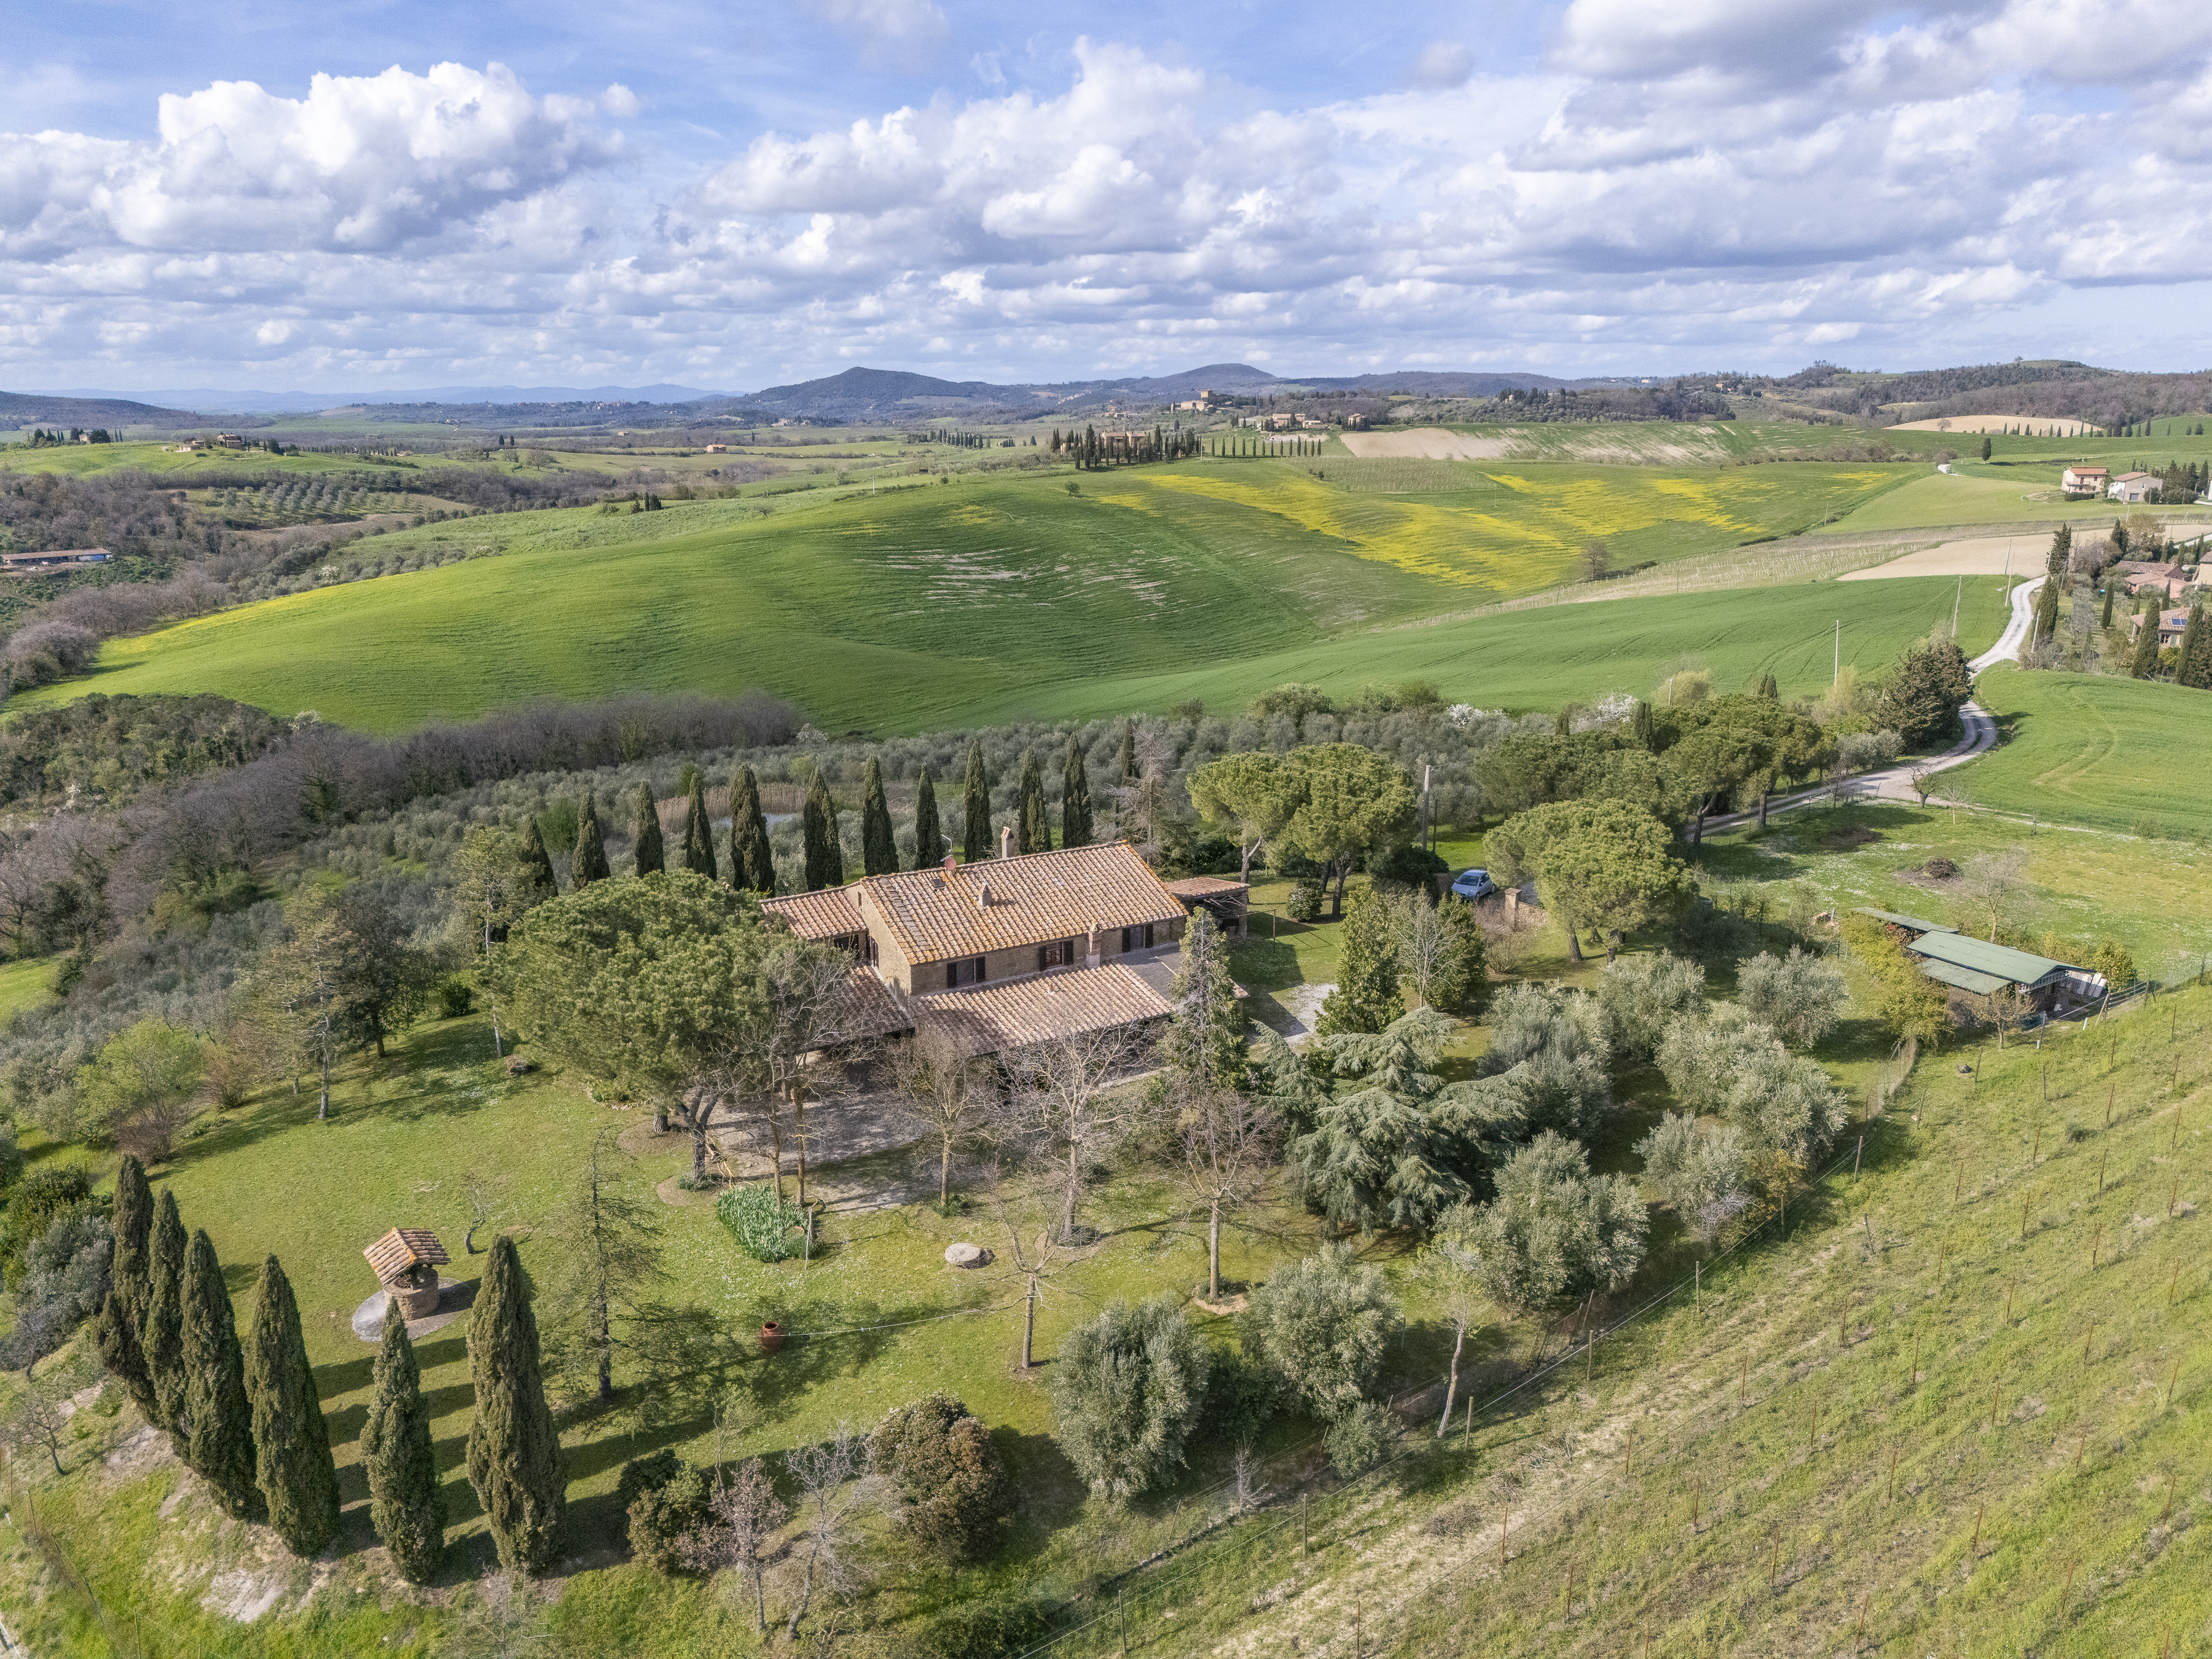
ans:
(397, 196)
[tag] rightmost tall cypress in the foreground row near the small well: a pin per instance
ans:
(514, 1454)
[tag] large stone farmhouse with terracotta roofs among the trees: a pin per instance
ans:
(1010, 952)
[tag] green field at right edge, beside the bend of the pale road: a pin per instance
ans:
(2096, 751)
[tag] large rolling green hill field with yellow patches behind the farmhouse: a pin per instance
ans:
(943, 603)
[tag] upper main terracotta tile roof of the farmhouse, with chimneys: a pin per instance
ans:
(937, 915)
